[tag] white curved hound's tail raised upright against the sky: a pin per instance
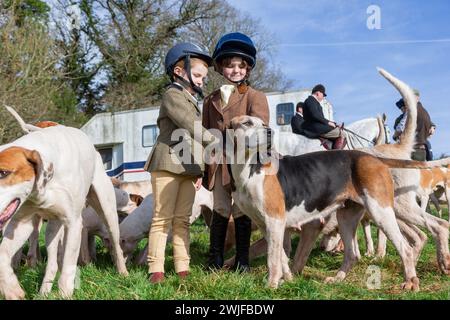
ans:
(407, 138)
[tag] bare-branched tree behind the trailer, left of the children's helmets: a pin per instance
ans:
(132, 37)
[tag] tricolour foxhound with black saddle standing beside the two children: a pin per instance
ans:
(293, 190)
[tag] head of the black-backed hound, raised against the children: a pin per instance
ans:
(253, 132)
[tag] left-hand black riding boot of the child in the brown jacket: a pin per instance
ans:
(218, 232)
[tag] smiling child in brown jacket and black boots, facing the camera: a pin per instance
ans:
(234, 58)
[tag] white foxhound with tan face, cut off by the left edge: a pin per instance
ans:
(51, 172)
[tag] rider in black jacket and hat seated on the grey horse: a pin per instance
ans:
(317, 124)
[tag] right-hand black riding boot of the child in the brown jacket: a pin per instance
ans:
(243, 228)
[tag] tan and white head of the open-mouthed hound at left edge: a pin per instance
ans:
(21, 173)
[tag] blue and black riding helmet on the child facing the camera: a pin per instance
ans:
(235, 44)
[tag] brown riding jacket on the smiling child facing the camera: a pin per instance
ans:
(245, 101)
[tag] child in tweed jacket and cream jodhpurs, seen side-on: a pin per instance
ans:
(173, 179)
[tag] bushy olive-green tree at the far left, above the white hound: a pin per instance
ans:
(29, 77)
